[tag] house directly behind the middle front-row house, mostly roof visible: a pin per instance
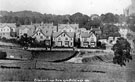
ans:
(68, 27)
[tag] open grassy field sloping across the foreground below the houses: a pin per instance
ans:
(30, 70)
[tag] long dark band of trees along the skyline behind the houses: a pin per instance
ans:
(29, 17)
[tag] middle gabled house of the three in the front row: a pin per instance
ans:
(63, 39)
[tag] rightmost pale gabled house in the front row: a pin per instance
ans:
(88, 39)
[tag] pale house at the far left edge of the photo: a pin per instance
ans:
(8, 30)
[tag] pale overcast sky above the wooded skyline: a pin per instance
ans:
(66, 6)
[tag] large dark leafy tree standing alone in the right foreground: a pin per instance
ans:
(121, 52)
